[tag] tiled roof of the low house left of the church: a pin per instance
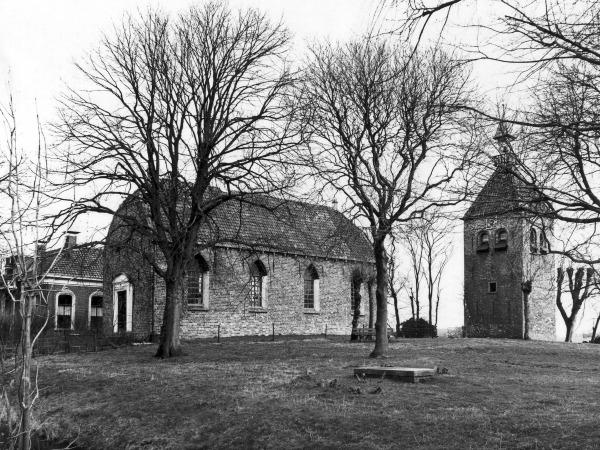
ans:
(78, 262)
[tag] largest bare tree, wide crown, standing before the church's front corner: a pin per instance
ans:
(176, 107)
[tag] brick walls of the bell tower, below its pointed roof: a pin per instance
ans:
(500, 314)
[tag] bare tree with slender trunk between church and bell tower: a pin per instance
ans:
(386, 124)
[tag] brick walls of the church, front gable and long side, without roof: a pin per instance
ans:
(228, 293)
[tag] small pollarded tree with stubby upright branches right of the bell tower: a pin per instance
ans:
(580, 282)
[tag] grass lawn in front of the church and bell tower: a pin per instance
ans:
(301, 394)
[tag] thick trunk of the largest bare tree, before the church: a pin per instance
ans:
(169, 344)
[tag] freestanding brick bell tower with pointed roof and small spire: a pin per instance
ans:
(508, 271)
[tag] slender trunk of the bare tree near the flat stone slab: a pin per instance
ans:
(381, 265)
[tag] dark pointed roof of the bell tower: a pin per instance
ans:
(504, 193)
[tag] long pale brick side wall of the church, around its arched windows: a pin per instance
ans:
(229, 290)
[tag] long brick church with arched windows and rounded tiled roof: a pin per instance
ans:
(263, 265)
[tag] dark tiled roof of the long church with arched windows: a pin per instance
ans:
(269, 223)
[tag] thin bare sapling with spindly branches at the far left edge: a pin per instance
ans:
(22, 190)
